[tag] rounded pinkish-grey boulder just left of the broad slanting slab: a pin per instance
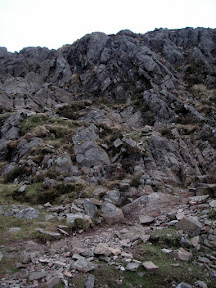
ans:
(111, 213)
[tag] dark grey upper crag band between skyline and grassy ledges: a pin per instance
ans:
(115, 66)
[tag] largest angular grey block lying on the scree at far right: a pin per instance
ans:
(190, 225)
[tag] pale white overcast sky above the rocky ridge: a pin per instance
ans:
(52, 23)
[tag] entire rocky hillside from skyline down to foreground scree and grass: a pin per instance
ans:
(111, 133)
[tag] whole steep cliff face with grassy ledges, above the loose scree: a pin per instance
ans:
(156, 90)
